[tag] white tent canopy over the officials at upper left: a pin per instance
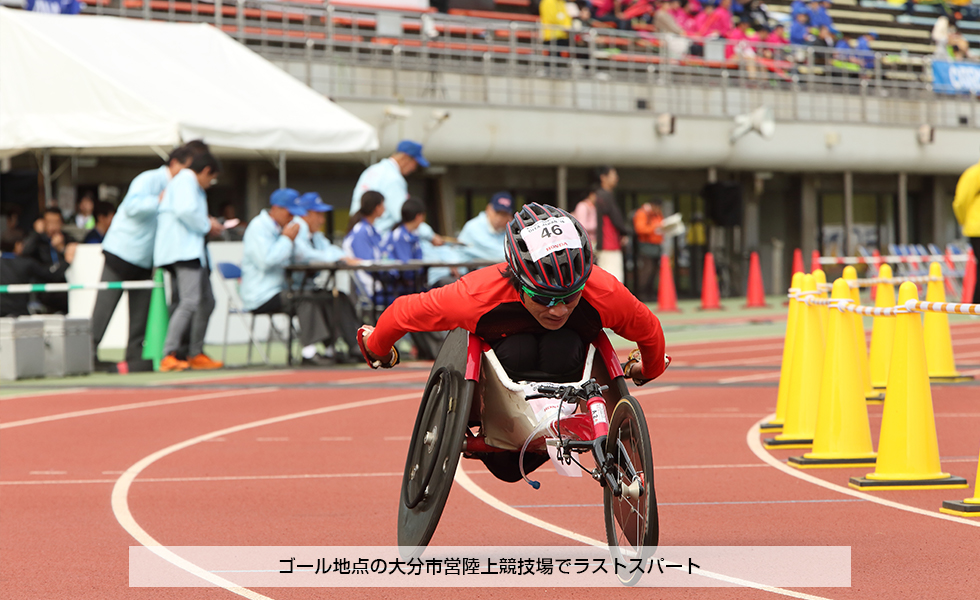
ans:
(125, 86)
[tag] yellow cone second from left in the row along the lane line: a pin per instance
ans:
(805, 373)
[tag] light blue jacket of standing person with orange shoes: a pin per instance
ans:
(182, 222)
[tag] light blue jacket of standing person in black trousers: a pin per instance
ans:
(131, 235)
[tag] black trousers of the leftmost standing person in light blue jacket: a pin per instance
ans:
(117, 269)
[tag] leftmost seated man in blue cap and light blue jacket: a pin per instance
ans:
(269, 246)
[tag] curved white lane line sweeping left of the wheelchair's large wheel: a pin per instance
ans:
(120, 491)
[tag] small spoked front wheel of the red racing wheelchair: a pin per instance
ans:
(632, 524)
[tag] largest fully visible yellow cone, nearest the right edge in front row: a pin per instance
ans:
(908, 451)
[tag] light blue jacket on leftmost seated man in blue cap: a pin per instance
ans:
(266, 254)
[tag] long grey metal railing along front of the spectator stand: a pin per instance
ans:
(377, 53)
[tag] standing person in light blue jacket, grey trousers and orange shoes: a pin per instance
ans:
(183, 224)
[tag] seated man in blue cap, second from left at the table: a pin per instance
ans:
(312, 246)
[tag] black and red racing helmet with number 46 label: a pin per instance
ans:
(548, 250)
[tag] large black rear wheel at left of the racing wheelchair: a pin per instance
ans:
(435, 447)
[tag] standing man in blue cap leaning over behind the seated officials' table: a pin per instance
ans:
(387, 177)
